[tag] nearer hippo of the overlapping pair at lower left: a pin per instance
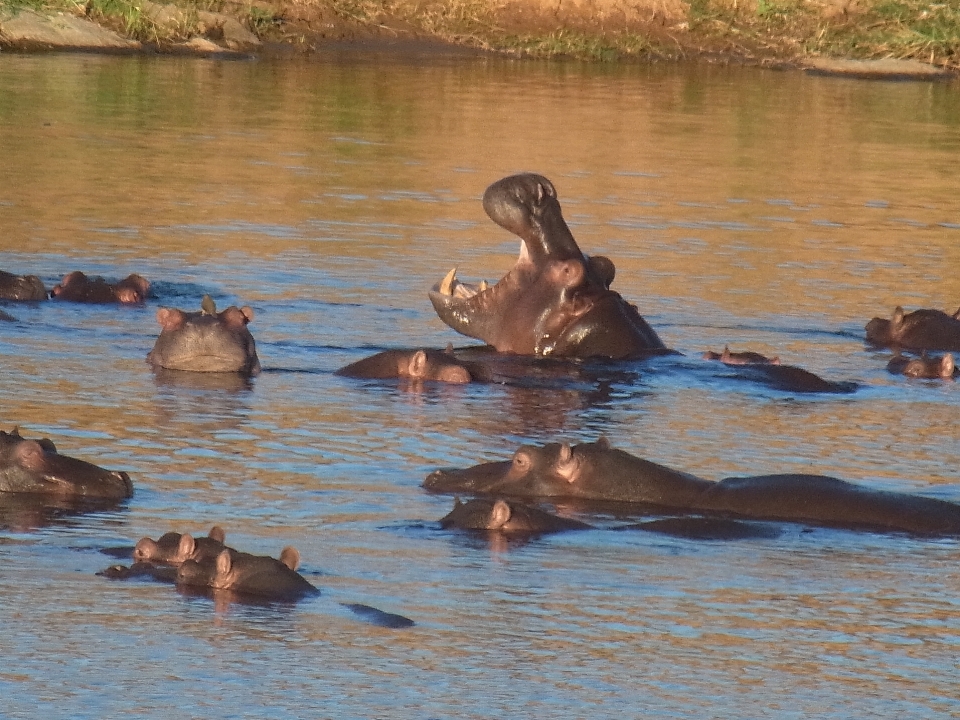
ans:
(252, 575)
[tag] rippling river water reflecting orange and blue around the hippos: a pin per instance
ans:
(773, 211)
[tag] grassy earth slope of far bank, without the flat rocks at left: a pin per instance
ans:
(750, 30)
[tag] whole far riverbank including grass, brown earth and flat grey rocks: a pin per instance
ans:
(765, 32)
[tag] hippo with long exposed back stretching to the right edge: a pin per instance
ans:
(597, 472)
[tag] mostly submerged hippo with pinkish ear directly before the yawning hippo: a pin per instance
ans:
(417, 365)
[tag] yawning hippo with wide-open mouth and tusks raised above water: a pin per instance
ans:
(555, 301)
